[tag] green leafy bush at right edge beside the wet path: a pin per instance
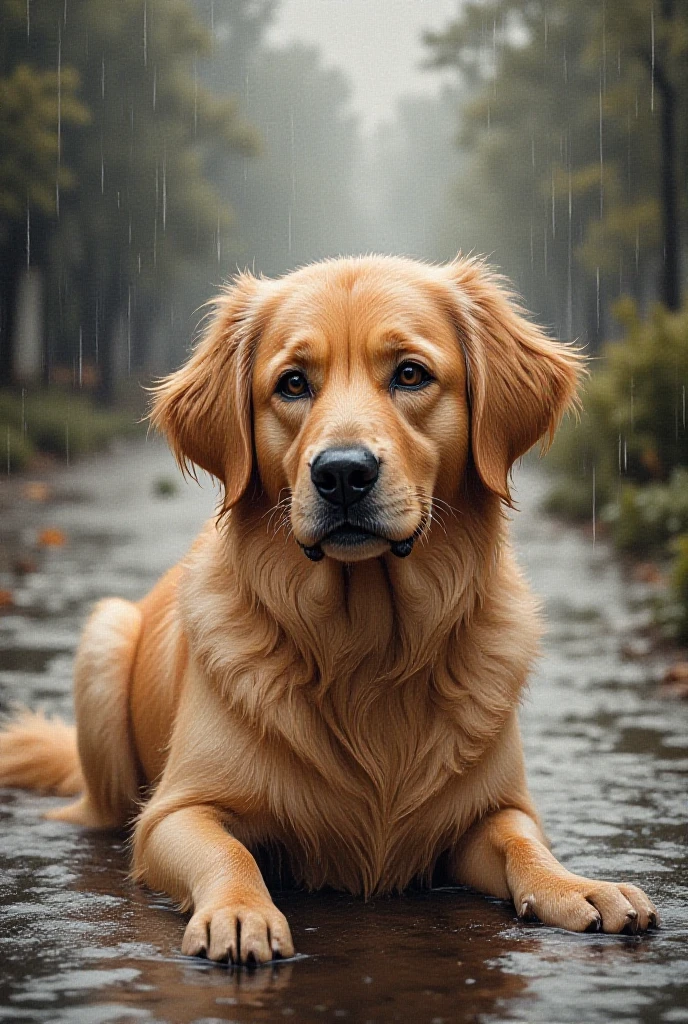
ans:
(633, 437)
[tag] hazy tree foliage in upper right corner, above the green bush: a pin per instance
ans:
(565, 146)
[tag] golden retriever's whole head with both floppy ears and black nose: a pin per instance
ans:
(362, 393)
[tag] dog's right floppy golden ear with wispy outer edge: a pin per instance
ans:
(521, 382)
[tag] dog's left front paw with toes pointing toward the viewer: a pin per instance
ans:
(243, 932)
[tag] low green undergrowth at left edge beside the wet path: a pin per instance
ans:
(58, 423)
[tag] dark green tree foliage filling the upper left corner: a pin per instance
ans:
(107, 135)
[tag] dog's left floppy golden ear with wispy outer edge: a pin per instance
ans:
(205, 408)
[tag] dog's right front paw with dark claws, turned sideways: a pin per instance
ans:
(583, 906)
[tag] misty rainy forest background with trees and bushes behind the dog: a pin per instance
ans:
(151, 148)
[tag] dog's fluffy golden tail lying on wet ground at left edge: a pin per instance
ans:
(38, 753)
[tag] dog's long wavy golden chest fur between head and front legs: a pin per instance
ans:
(350, 740)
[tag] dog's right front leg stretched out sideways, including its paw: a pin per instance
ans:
(505, 855)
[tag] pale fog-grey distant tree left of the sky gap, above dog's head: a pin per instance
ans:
(296, 201)
